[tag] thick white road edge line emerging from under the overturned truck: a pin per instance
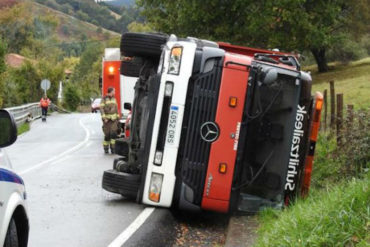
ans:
(132, 228)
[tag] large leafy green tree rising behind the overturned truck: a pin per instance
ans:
(313, 25)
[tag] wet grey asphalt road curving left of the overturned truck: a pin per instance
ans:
(62, 162)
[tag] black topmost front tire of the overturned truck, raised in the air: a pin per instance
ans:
(142, 44)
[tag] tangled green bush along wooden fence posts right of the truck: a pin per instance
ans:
(352, 159)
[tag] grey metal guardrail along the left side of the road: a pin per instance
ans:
(27, 112)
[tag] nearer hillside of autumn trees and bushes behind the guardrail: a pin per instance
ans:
(50, 42)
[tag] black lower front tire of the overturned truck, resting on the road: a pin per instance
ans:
(122, 183)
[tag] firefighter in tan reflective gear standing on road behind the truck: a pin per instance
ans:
(109, 111)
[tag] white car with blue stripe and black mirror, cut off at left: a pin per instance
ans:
(14, 225)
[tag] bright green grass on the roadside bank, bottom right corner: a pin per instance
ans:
(339, 216)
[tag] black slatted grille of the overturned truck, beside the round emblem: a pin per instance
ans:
(201, 106)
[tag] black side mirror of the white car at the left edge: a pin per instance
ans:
(8, 129)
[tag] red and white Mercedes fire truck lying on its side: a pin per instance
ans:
(215, 126)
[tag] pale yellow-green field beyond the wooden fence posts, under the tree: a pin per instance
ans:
(353, 80)
